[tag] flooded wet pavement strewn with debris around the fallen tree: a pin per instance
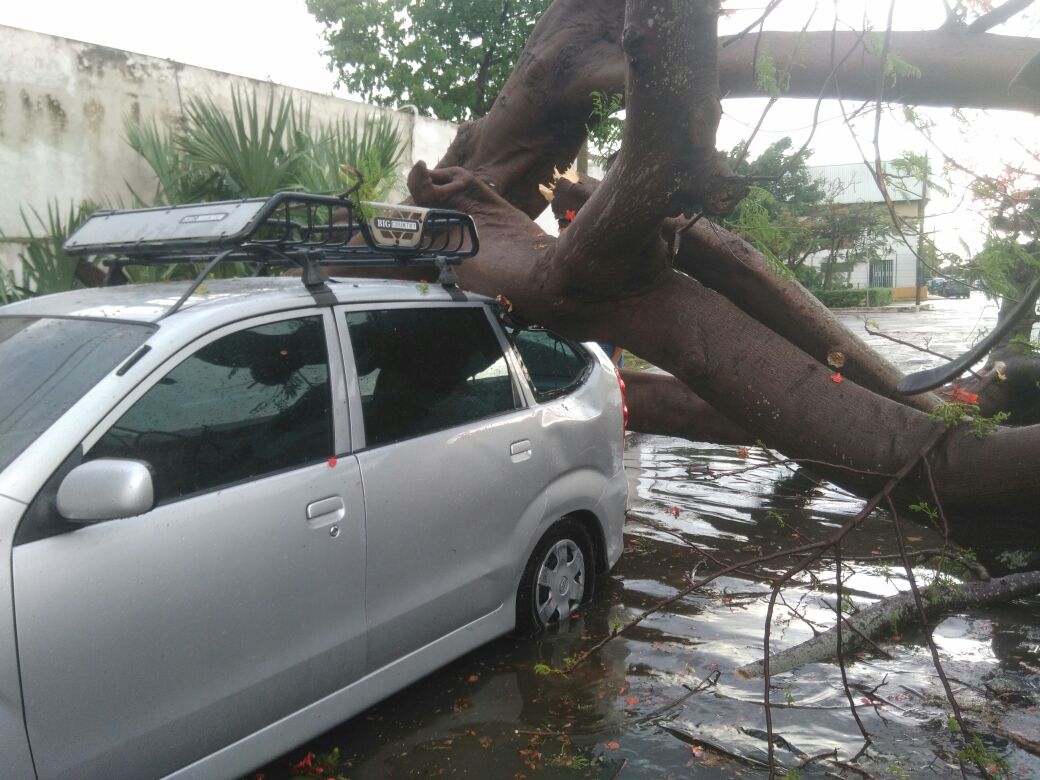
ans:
(663, 700)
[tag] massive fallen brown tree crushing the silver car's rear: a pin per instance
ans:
(752, 348)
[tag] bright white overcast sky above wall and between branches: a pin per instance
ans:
(278, 40)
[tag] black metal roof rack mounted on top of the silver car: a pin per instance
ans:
(289, 229)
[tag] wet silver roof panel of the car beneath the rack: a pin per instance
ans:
(241, 298)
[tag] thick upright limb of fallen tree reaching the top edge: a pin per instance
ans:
(668, 162)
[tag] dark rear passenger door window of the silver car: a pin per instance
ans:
(428, 370)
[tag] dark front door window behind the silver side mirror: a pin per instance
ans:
(250, 404)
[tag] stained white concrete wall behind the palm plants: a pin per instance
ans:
(63, 106)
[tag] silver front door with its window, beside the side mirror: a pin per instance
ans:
(149, 642)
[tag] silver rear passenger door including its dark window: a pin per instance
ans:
(454, 476)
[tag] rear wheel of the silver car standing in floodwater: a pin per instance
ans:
(558, 580)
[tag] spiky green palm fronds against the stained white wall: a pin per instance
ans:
(255, 151)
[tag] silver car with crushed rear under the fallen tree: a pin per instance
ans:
(225, 530)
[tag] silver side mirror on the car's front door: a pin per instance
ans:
(107, 489)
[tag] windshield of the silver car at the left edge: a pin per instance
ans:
(48, 365)
